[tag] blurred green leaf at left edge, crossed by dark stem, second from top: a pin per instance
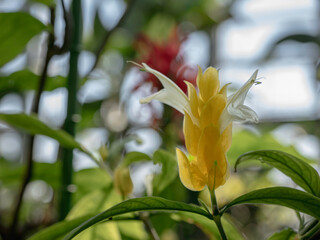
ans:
(26, 80)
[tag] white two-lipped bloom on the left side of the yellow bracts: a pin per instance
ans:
(171, 94)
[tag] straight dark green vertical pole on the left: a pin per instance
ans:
(72, 86)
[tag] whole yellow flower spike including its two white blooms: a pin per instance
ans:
(207, 125)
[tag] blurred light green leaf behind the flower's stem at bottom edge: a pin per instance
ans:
(208, 226)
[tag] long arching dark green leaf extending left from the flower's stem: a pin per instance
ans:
(138, 204)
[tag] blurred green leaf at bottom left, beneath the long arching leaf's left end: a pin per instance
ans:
(59, 230)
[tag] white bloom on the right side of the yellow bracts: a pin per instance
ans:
(235, 109)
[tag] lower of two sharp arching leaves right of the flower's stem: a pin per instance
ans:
(283, 196)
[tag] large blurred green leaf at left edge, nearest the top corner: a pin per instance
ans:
(17, 28)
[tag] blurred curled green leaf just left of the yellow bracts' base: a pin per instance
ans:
(168, 172)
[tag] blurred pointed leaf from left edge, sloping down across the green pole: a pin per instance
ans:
(32, 125)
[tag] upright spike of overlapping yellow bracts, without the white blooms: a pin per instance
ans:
(206, 145)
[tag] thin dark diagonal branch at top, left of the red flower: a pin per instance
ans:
(99, 50)
